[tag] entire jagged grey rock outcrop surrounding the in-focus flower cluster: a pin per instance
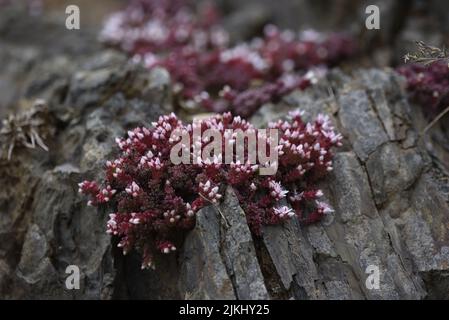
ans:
(389, 194)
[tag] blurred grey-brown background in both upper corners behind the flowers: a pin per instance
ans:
(35, 29)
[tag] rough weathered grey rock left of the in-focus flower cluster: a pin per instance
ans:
(46, 222)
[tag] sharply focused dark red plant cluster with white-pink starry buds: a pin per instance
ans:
(154, 200)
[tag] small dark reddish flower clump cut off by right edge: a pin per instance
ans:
(428, 85)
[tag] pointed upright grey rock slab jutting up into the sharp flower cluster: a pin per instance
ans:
(229, 268)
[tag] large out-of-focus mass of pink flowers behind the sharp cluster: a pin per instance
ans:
(210, 73)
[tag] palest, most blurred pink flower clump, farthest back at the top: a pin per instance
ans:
(162, 25)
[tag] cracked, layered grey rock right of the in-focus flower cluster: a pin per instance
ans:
(389, 209)
